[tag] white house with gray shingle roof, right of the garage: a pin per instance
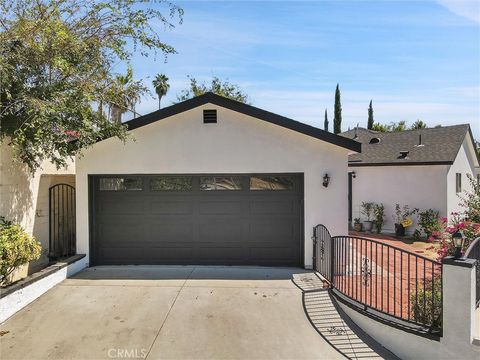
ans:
(424, 168)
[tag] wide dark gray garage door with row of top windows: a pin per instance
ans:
(204, 219)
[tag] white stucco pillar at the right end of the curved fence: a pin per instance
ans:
(458, 302)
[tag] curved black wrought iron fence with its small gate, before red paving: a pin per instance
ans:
(381, 278)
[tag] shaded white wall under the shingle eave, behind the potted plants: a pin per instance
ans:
(417, 186)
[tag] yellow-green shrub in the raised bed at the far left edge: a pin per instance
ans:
(16, 248)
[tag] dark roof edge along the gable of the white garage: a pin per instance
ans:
(211, 98)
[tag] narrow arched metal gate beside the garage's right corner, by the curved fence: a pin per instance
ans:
(322, 251)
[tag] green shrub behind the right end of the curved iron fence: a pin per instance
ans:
(431, 315)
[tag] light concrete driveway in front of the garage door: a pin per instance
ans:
(168, 312)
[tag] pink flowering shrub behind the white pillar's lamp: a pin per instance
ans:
(470, 229)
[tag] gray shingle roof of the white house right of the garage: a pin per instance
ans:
(440, 146)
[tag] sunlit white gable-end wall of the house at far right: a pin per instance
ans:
(464, 164)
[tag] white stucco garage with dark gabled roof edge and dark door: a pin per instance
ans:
(211, 181)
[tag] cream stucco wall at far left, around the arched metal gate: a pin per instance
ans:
(24, 199)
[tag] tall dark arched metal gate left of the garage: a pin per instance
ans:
(62, 230)
